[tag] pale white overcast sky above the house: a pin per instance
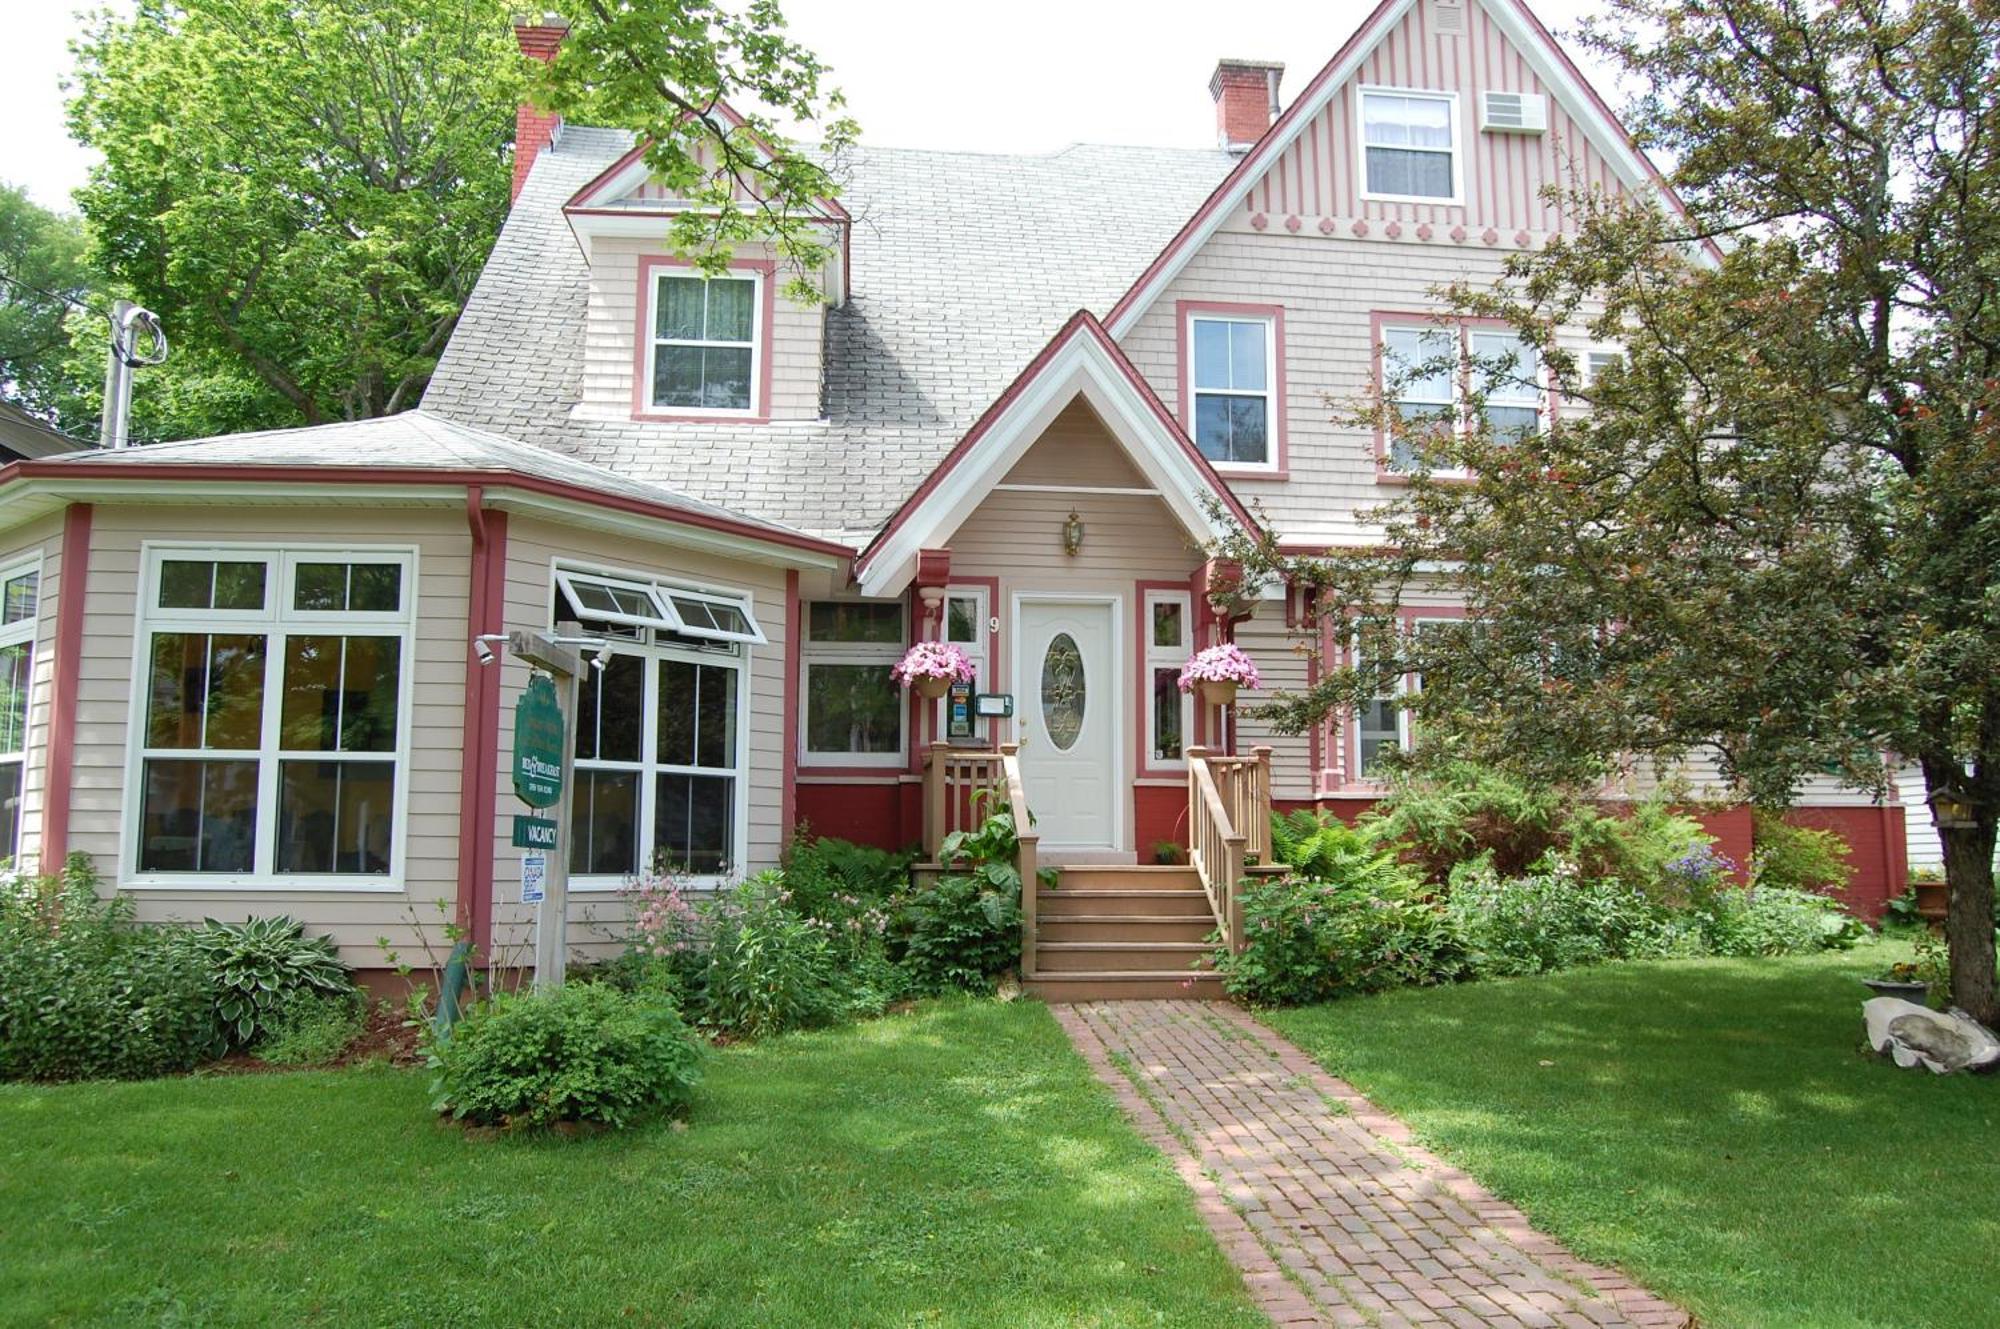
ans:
(1019, 77)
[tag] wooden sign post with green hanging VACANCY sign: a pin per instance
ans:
(545, 770)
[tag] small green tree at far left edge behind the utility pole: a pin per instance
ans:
(41, 271)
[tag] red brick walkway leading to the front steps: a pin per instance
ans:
(1329, 1208)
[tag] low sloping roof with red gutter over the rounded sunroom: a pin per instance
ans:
(411, 449)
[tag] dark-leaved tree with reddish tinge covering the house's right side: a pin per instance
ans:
(1775, 529)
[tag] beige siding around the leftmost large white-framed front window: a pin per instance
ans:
(431, 824)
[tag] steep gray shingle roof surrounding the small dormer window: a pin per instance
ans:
(963, 267)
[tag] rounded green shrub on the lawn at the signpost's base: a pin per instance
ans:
(583, 1052)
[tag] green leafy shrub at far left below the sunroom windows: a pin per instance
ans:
(85, 994)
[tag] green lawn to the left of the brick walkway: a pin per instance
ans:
(955, 1166)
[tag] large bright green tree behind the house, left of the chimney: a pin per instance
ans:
(303, 189)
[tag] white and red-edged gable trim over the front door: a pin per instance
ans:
(1079, 361)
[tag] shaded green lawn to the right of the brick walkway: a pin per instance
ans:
(1715, 1128)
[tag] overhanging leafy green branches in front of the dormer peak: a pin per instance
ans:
(673, 71)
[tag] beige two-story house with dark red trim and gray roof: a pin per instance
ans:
(243, 670)
